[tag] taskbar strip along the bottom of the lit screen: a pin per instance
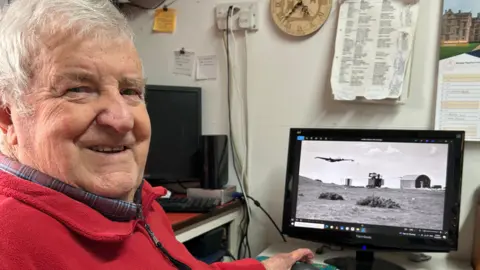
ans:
(370, 229)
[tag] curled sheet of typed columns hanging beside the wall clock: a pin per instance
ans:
(373, 49)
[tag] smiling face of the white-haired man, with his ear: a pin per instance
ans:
(89, 126)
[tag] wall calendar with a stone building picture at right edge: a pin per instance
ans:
(458, 84)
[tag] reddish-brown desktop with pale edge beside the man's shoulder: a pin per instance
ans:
(182, 220)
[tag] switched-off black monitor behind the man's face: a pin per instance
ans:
(176, 122)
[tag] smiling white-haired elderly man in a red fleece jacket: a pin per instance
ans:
(75, 136)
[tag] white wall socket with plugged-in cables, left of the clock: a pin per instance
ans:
(244, 16)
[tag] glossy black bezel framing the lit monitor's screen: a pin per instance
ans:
(387, 242)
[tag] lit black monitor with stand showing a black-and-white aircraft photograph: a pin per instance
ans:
(395, 190)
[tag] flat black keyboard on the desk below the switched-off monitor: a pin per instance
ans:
(188, 205)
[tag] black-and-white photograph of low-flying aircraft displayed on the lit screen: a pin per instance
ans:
(374, 183)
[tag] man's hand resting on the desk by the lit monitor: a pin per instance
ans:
(285, 261)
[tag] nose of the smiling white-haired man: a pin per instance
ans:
(116, 114)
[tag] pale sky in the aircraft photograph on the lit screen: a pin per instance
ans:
(391, 160)
